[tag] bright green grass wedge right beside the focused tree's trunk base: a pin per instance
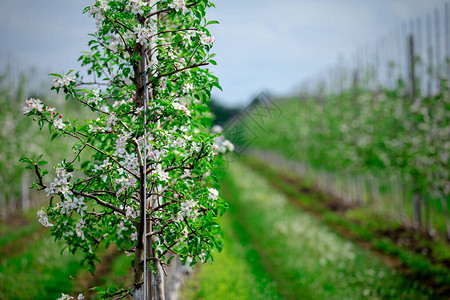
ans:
(235, 274)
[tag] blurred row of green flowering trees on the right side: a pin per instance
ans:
(382, 132)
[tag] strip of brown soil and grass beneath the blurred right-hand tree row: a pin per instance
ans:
(398, 247)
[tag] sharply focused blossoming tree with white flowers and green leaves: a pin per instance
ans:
(148, 151)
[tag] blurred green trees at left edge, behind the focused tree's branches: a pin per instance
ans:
(19, 138)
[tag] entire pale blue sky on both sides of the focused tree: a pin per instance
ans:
(260, 44)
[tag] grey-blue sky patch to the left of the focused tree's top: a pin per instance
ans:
(45, 33)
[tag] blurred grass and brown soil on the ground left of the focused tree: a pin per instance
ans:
(32, 266)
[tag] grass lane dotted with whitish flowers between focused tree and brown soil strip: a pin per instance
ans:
(304, 258)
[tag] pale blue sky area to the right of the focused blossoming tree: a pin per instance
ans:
(277, 44)
